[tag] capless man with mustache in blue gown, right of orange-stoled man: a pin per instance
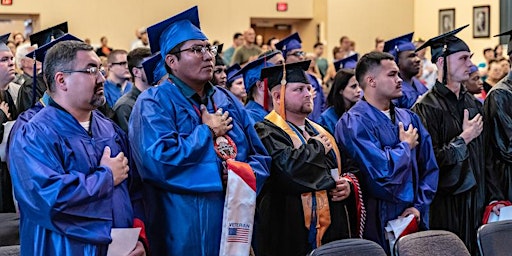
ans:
(391, 147)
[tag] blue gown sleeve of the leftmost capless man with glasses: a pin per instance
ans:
(68, 202)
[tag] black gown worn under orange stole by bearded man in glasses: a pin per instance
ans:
(280, 228)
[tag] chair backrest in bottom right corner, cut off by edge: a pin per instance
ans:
(495, 238)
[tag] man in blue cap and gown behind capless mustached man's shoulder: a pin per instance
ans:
(409, 64)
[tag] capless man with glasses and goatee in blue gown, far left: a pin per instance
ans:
(68, 163)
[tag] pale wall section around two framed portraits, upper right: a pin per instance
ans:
(426, 20)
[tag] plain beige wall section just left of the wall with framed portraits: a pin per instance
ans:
(364, 20)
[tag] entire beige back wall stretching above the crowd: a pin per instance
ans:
(361, 20)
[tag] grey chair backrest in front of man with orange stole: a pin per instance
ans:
(349, 247)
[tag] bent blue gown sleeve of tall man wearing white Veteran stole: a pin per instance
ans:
(170, 159)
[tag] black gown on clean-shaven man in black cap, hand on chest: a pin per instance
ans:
(460, 200)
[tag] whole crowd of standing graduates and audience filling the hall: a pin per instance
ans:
(256, 148)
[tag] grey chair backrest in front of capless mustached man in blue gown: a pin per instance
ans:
(431, 243)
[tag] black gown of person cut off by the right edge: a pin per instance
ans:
(498, 134)
